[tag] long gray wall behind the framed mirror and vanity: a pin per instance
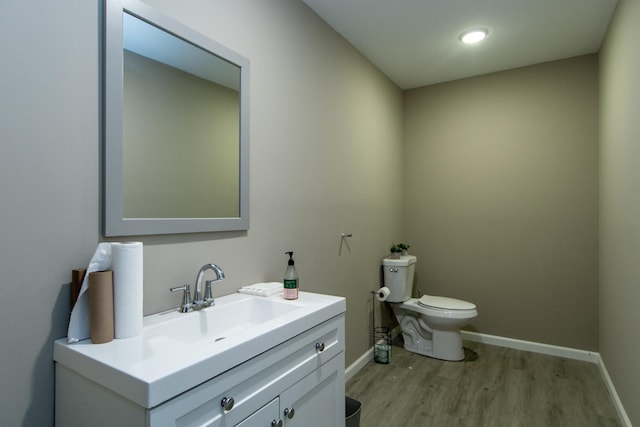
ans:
(325, 144)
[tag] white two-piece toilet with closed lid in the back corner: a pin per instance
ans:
(430, 325)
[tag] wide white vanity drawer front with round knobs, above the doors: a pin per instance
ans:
(254, 383)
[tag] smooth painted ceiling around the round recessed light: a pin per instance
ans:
(416, 42)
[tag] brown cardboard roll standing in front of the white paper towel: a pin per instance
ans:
(101, 306)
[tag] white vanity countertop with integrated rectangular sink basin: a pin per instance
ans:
(178, 351)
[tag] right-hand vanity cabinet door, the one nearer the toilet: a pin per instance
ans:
(317, 400)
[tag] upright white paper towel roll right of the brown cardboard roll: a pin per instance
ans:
(127, 288)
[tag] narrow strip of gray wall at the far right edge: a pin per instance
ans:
(620, 205)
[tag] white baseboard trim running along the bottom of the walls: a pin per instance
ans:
(534, 347)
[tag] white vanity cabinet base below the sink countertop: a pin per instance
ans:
(299, 382)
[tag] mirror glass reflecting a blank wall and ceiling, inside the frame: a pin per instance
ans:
(180, 127)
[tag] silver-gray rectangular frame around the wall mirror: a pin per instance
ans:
(114, 223)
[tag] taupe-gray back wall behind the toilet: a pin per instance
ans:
(501, 183)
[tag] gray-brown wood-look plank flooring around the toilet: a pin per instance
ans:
(493, 386)
